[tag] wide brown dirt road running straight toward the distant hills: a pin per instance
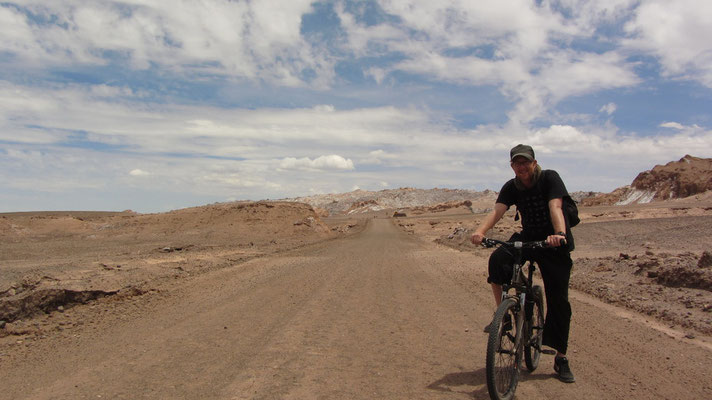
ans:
(378, 315)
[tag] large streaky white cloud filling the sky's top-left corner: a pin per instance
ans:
(244, 39)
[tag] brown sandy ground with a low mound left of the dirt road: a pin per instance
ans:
(54, 260)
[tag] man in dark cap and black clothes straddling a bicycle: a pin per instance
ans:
(538, 195)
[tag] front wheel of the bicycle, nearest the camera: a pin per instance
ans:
(503, 358)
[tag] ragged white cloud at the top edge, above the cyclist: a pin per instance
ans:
(515, 48)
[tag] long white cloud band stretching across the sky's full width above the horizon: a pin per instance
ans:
(254, 147)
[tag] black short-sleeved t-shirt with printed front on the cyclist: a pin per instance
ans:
(533, 204)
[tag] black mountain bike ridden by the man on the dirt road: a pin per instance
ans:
(524, 333)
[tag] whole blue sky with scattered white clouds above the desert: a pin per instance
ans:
(156, 105)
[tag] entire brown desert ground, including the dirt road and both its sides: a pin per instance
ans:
(269, 300)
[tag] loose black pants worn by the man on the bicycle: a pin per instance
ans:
(555, 268)
